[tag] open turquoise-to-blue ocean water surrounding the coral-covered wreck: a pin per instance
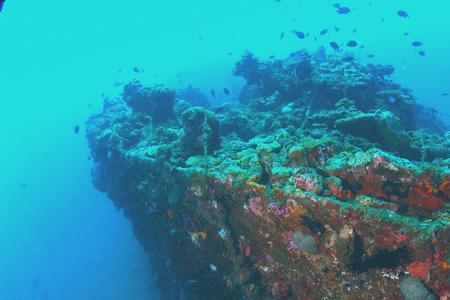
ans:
(59, 237)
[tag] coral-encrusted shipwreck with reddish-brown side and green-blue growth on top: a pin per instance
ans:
(326, 180)
